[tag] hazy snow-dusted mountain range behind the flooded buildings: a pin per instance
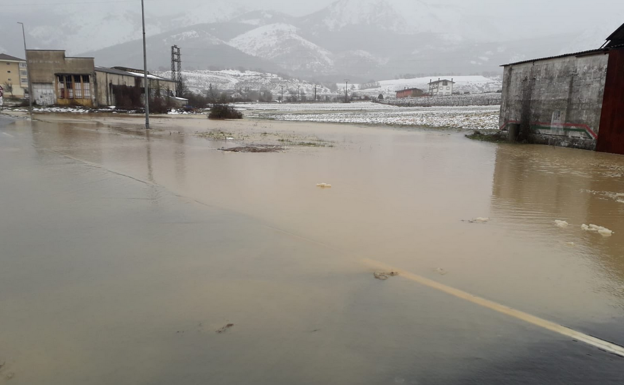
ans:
(355, 39)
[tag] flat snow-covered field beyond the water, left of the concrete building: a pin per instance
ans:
(469, 118)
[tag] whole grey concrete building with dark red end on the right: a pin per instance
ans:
(574, 100)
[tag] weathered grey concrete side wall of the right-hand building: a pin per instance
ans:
(556, 101)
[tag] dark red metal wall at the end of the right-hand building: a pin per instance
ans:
(611, 135)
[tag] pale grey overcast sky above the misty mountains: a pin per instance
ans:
(511, 18)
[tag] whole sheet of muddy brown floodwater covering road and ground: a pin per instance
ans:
(123, 254)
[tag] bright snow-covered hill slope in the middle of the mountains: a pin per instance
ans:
(282, 44)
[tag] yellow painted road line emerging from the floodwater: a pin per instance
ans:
(600, 344)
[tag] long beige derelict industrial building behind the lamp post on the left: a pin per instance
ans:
(76, 81)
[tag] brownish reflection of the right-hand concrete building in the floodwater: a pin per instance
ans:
(535, 185)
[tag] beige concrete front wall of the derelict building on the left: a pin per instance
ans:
(44, 66)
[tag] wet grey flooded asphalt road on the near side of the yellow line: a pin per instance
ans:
(110, 278)
